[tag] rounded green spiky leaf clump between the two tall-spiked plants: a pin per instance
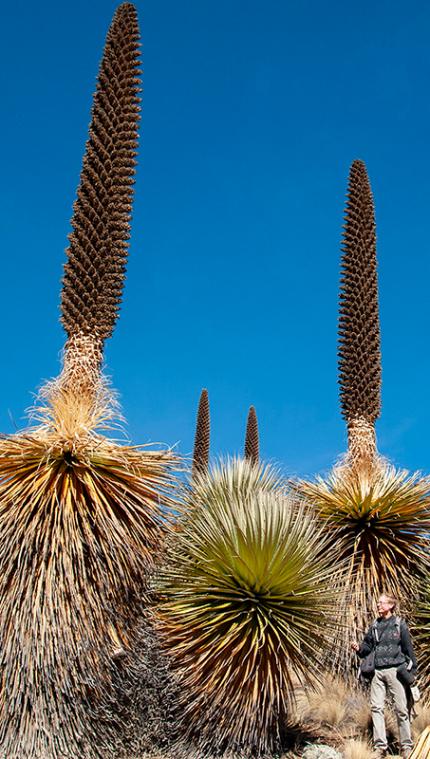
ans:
(245, 605)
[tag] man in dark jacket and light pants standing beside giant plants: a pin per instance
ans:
(395, 664)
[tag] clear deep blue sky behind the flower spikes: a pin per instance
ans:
(252, 114)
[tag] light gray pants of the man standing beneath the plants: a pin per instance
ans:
(385, 681)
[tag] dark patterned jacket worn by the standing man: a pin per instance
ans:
(392, 643)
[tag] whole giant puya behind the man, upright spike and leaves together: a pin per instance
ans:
(382, 515)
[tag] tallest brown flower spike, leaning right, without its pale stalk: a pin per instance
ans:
(95, 270)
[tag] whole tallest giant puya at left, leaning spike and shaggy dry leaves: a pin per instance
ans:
(80, 515)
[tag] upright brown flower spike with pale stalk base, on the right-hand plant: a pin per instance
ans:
(359, 337)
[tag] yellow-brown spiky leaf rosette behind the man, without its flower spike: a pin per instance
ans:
(382, 518)
